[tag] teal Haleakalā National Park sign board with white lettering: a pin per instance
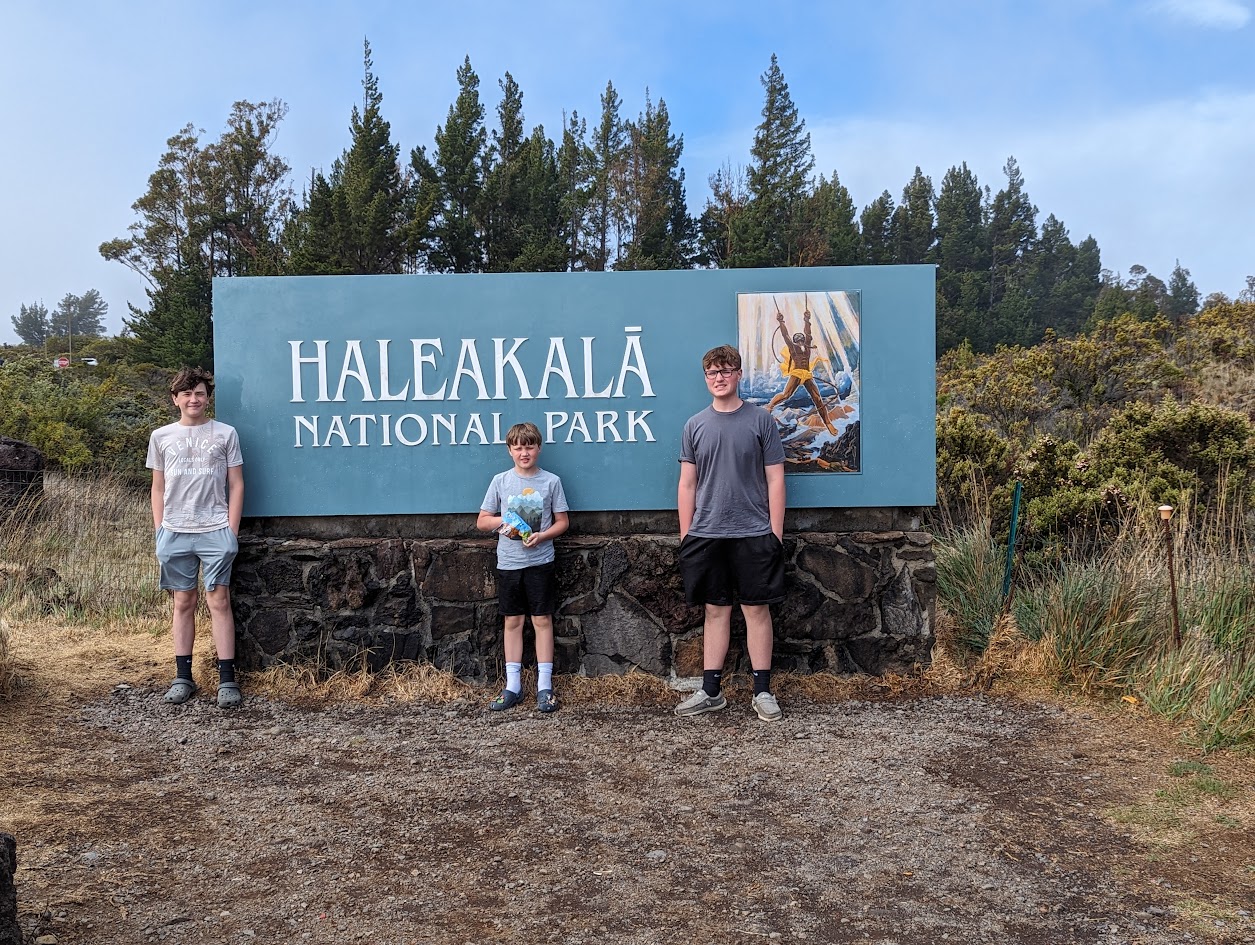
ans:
(393, 395)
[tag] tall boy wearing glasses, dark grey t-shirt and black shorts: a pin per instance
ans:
(732, 523)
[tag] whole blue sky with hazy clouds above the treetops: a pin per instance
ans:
(1133, 121)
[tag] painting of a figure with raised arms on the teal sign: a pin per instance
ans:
(801, 361)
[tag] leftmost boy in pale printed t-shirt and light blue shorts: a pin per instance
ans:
(198, 499)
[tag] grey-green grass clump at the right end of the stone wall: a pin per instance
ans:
(971, 583)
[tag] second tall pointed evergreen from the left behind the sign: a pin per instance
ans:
(450, 185)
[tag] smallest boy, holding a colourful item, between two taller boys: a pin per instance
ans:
(528, 509)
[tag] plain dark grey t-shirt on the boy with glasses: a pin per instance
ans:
(731, 452)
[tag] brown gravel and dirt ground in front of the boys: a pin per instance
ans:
(921, 820)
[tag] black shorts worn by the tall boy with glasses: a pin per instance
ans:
(725, 572)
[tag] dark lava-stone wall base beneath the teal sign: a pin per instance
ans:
(307, 592)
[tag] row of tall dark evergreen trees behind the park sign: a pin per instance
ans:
(494, 194)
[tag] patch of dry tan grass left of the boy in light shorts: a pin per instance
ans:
(81, 552)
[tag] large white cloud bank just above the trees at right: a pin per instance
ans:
(1154, 184)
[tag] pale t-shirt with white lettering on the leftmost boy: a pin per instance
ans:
(195, 462)
